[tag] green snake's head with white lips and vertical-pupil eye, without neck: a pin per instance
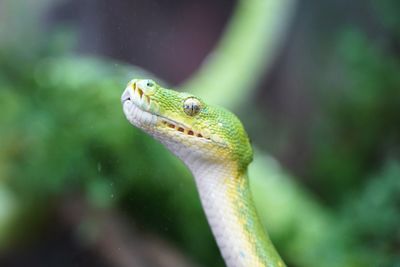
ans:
(193, 130)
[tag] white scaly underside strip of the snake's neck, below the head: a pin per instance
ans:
(220, 212)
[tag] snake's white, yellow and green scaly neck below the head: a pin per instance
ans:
(228, 204)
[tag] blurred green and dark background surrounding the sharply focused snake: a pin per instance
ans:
(317, 85)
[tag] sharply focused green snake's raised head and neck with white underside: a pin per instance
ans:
(213, 144)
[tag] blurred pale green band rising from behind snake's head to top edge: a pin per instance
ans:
(245, 51)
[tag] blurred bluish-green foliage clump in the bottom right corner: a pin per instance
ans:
(372, 218)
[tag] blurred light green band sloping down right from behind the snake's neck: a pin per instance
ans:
(287, 207)
